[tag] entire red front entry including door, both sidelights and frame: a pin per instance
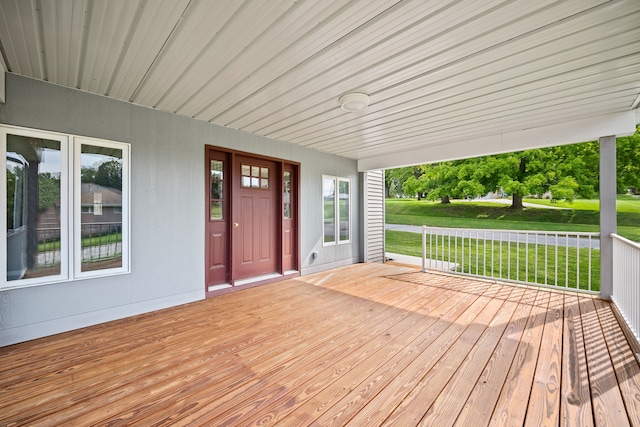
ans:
(251, 220)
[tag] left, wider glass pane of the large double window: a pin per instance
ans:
(34, 170)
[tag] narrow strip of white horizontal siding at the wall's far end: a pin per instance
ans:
(374, 216)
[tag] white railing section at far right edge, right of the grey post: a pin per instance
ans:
(626, 281)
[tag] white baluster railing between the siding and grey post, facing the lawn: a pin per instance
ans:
(569, 260)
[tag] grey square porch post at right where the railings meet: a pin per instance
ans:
(608, 221)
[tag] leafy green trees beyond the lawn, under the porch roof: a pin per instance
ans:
(565, 172)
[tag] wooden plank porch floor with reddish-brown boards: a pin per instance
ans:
(364, 345)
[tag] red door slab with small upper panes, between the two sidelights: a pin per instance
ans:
(255, 217)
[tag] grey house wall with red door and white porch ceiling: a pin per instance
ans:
(228, 124)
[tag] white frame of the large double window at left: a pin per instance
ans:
(70, 208)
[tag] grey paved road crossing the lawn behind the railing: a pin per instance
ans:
(572, 242)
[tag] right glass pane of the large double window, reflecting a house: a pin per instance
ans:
(101, 194)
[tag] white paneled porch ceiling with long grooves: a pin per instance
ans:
(437, 72)
